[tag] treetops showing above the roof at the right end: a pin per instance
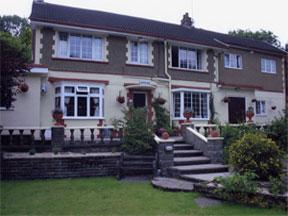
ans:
(261, 35)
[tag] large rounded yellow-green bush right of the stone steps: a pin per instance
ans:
(254, 152)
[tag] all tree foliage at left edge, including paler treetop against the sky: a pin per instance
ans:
(15, 49)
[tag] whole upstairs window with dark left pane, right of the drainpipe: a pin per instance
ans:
(186, 58)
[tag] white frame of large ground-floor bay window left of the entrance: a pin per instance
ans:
(89, 95)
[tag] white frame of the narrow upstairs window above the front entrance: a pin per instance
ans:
(138, 62)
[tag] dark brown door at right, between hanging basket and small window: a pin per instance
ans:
(236, 110)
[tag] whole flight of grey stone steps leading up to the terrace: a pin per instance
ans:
(191, 165)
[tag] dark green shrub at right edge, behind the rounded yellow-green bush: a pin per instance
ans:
(278, 131)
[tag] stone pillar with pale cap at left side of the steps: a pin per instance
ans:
(165, 155)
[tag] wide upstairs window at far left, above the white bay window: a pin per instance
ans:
(80, 46)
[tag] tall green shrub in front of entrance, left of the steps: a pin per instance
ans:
(138, 137)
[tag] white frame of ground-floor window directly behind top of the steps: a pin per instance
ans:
(182, 91)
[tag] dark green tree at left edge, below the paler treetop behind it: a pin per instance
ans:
(13, 62)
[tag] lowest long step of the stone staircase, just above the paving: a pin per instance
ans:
(177, 171)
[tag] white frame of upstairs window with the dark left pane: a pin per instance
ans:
(199, 65)
